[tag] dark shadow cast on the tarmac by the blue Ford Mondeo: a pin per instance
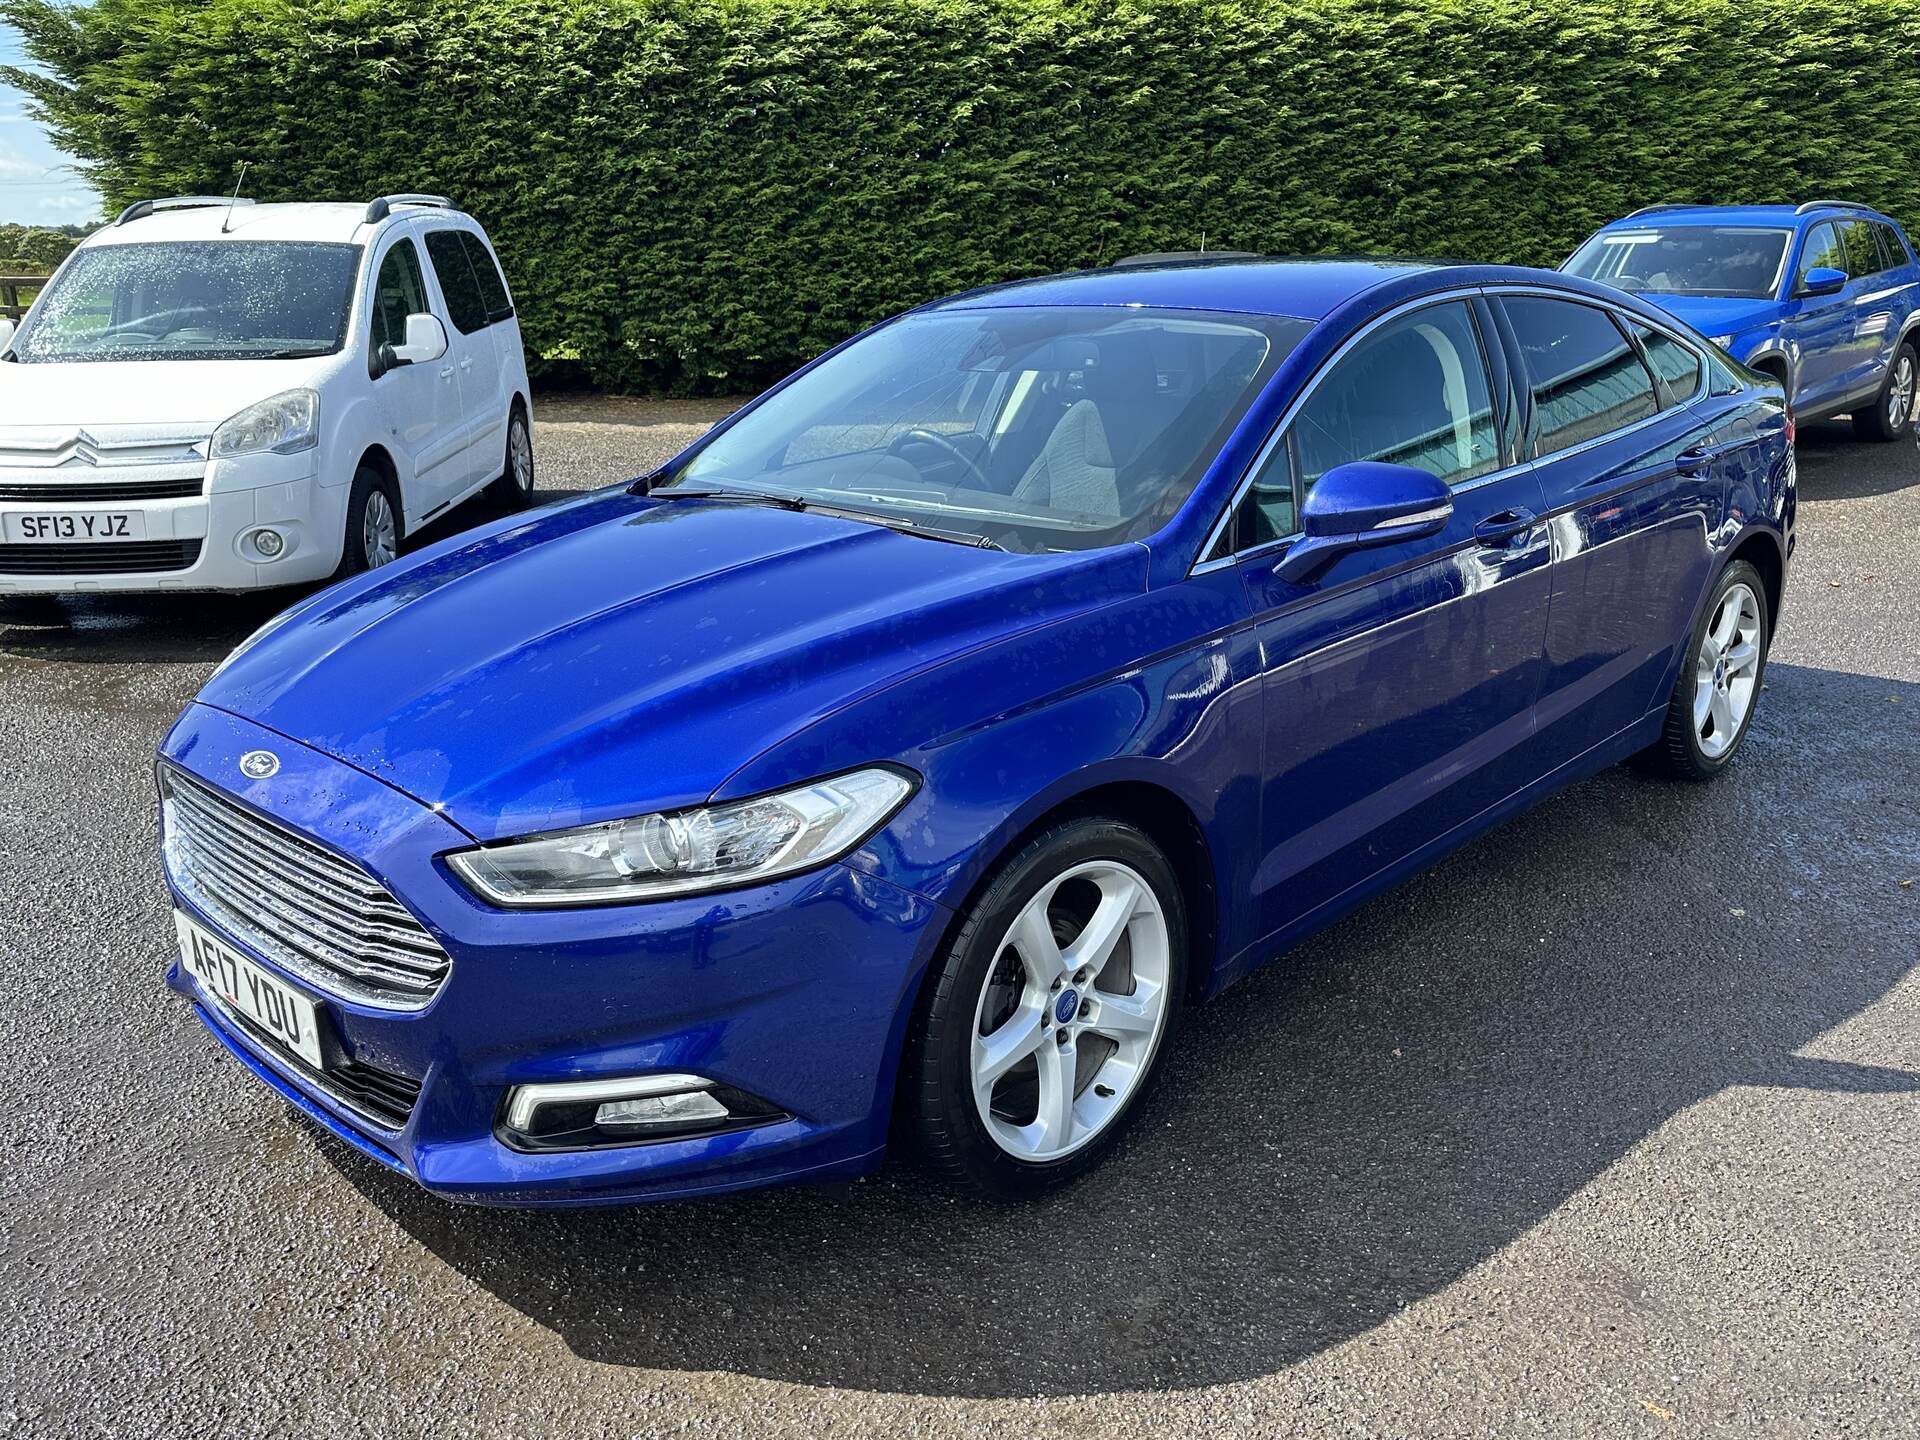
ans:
(1341, 1136)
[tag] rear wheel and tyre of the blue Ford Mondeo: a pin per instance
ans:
(1719, 681)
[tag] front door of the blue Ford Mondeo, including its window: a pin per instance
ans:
(1401, 683)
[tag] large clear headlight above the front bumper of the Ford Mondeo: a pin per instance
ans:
(692, 852)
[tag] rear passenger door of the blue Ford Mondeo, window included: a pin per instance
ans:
(1629, 477)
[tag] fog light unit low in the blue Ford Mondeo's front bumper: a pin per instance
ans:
(633, 1111)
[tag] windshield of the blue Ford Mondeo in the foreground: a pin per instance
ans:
(1034, 429)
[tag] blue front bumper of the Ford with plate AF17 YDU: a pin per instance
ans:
(794, 994)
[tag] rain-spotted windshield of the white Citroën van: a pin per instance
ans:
(195, 300)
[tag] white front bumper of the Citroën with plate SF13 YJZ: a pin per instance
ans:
(208, 533)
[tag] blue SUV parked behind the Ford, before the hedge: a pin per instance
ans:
(1823, 297)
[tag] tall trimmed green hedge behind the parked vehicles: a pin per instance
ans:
(700, 193)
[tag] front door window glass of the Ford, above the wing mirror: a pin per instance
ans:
(1414, 393)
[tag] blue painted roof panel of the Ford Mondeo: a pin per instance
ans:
(1301, 287)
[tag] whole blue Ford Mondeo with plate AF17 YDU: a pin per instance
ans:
(907, 754)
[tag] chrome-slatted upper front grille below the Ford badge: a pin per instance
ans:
(300, 905)
